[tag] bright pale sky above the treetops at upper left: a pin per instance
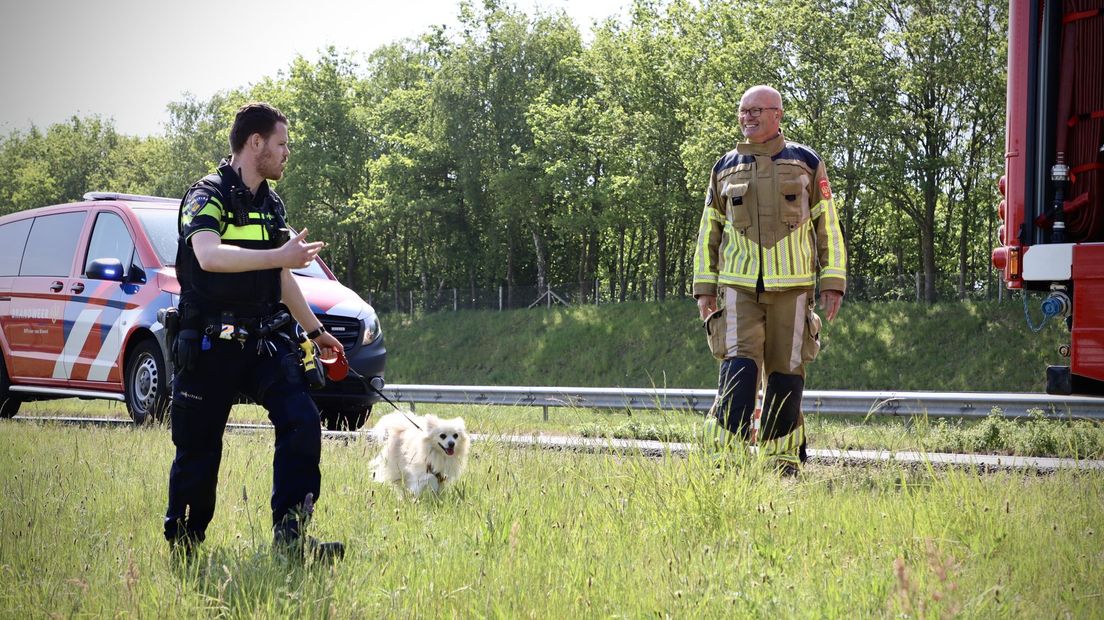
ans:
(129, 59)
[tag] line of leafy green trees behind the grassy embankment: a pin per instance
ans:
(515, 151)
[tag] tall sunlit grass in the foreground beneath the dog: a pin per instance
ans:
(546, 535)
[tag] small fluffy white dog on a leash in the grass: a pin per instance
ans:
(420, 453)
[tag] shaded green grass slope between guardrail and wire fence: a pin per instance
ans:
(970, 347)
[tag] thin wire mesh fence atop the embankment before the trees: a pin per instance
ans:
(909, 287)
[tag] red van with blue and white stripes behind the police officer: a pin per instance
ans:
(80, 288)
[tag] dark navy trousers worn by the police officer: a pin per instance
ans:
(201, 403)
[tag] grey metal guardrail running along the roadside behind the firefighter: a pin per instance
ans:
(831, 403)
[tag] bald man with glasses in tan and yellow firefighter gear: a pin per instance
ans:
(769, 232)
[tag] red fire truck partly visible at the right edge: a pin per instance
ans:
(1052, 238)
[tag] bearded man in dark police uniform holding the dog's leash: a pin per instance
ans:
(235, 263)
